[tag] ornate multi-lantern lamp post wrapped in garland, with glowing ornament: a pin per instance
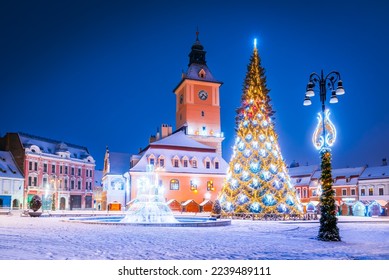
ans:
(323, 138)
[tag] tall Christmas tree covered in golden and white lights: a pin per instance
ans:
(257, 180)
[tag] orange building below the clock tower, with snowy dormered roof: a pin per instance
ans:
(190, 173)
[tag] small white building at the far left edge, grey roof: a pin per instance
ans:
(11, 183)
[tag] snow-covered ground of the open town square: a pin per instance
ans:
(48, 238)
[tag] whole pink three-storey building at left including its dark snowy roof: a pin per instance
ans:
(62, 174)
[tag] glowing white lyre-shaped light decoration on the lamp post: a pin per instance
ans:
(330, 132)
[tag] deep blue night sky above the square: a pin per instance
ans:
(97, 73)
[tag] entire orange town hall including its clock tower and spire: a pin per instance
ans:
(188, 162)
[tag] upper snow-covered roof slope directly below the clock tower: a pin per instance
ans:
(180, 139)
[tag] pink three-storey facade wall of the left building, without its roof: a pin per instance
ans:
(41, 179)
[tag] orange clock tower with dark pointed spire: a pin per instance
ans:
(197, 101)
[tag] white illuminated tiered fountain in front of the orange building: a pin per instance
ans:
(149, 206)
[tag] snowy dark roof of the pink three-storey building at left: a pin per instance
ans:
(50, 146)
